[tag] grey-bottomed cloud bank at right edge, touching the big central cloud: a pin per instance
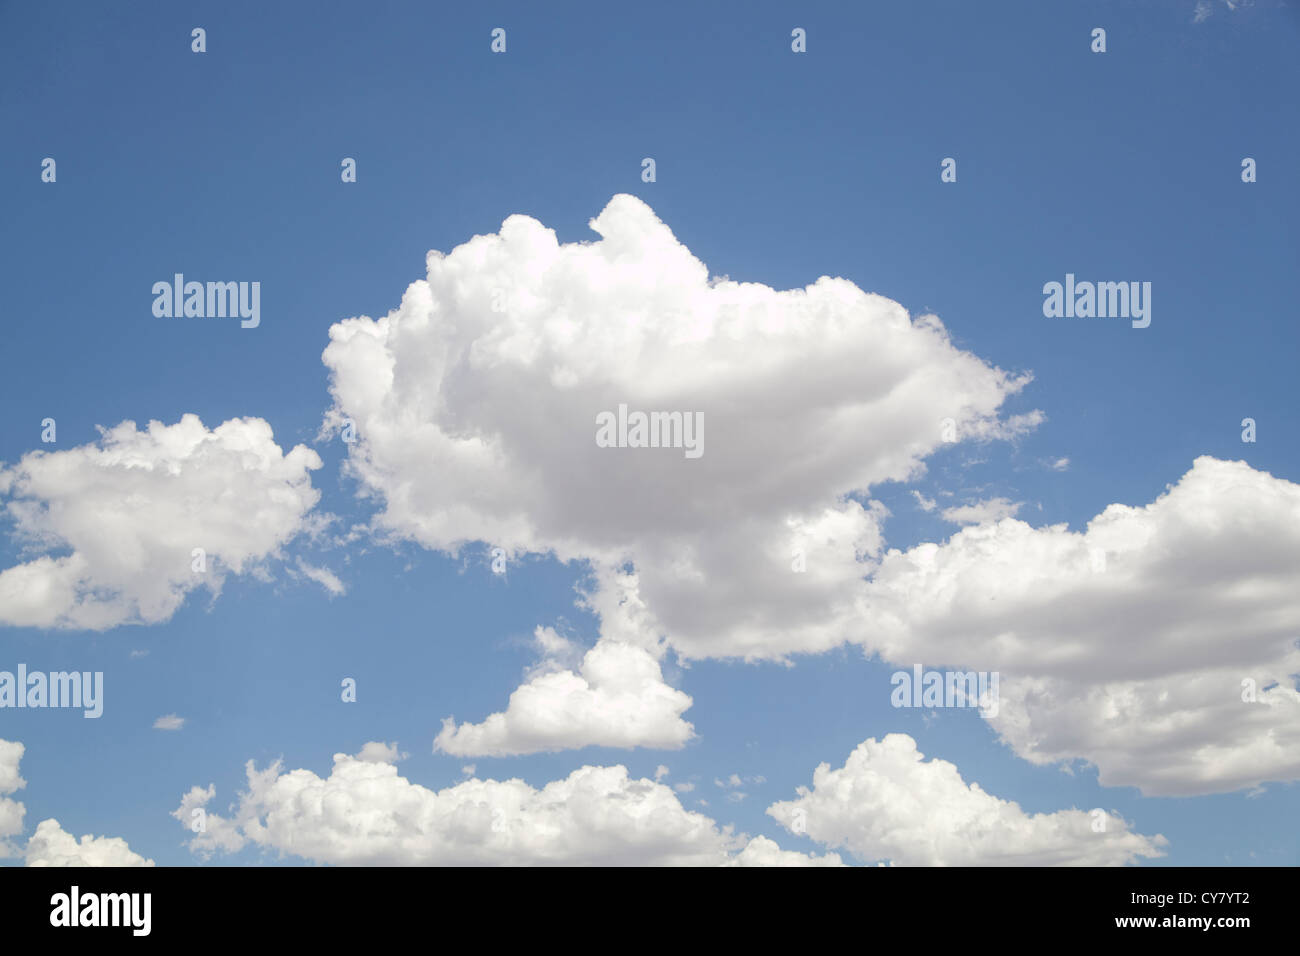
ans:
(1125, 644)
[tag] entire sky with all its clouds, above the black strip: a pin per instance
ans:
(645, 677)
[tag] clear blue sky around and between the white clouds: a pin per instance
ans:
(773, 168)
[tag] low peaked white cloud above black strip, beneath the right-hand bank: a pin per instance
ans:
(887, 803)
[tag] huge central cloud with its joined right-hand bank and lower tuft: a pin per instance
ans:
(476, 405)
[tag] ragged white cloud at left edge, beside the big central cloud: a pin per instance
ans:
(131, 511)
